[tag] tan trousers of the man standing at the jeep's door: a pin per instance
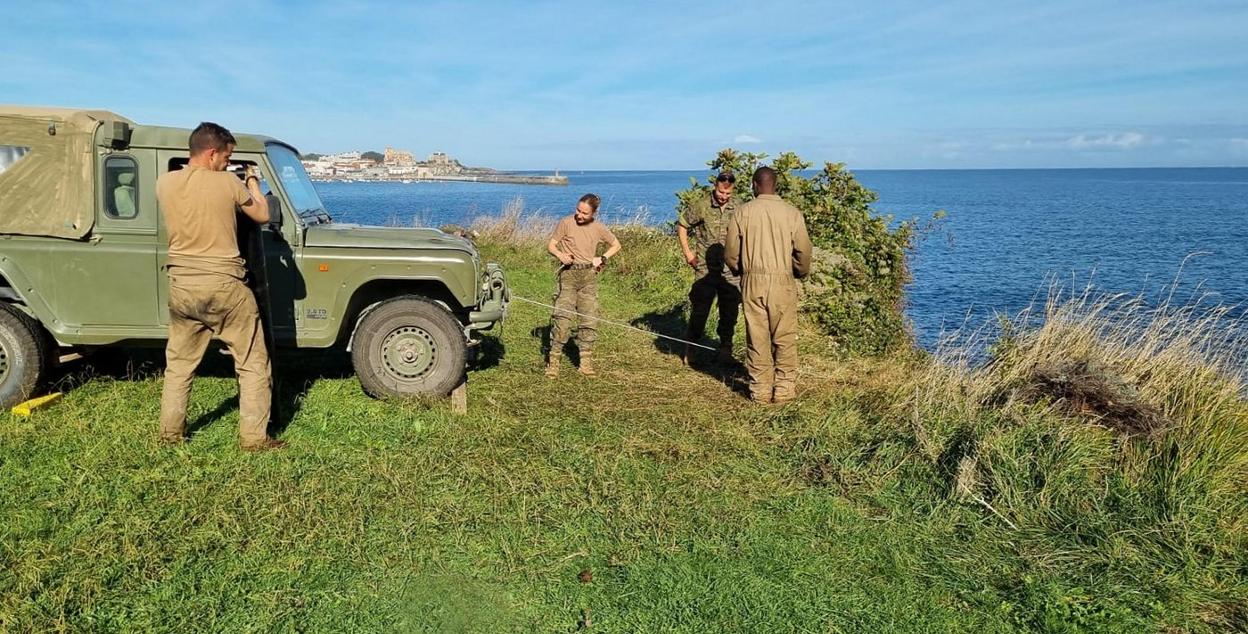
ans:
(203, 306)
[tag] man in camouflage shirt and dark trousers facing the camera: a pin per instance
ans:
(707, 222)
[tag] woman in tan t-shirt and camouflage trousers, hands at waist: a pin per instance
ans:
(575, 243)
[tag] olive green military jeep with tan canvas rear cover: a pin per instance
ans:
(83, 249)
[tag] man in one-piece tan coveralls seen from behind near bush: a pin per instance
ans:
(768, 245)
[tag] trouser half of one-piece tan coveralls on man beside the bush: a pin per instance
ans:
(771, 308)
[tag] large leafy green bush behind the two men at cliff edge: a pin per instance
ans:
(857, 290)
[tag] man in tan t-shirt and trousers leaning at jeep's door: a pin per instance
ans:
(207, 293)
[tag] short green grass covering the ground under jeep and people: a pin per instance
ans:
(860, 509)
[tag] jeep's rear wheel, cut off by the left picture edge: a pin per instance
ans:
(26, 356)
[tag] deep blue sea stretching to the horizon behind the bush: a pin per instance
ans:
(1008, 238)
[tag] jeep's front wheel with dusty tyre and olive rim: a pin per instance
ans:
(407, 348)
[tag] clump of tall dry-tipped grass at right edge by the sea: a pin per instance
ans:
(1109, 429)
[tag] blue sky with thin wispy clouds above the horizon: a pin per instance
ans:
(665, 85)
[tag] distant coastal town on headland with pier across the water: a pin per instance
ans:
(402, 167)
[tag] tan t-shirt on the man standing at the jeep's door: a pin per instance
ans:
(202, 219)
